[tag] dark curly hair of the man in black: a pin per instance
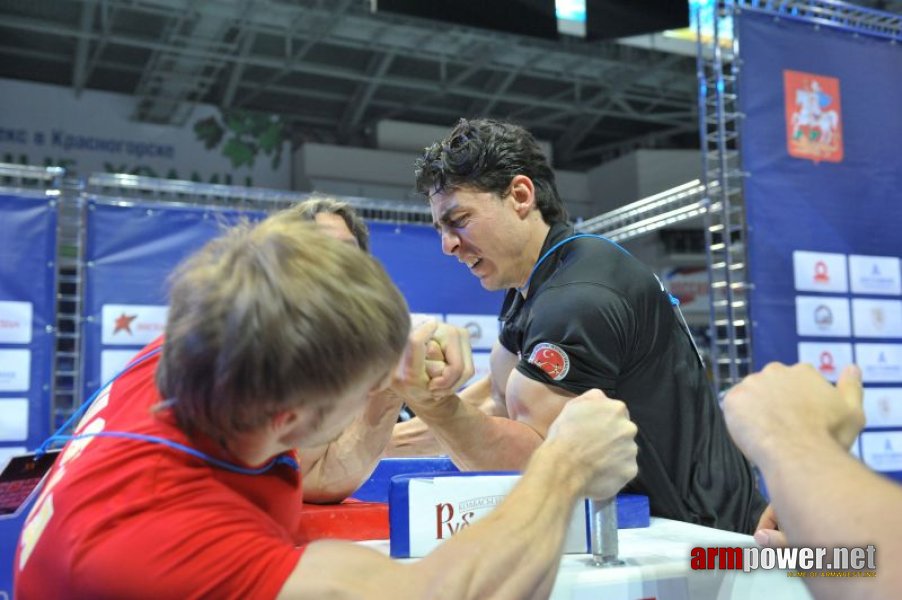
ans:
(486, 155)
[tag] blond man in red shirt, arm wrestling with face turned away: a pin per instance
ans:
(182, 480)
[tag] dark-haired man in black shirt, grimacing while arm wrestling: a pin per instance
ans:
(580, 313)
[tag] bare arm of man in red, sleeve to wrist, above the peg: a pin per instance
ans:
(513, 553)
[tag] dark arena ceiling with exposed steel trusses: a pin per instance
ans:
(333, 70)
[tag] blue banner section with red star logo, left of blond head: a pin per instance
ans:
(130, 250)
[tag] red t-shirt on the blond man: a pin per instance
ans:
(122, 518)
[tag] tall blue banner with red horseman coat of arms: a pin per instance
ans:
(820, 142)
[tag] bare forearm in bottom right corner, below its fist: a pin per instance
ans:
(824, 497)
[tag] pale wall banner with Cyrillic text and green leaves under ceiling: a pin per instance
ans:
(94, 132)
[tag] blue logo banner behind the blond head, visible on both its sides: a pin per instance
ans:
(132, 247)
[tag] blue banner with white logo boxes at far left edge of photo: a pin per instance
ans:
(28, 234)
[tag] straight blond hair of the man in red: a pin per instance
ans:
(267, 317)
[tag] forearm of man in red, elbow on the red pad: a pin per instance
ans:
(333, 472)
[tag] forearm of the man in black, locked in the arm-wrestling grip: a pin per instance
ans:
(479, 442)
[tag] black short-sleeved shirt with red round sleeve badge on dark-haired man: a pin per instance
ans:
(595, 317)
